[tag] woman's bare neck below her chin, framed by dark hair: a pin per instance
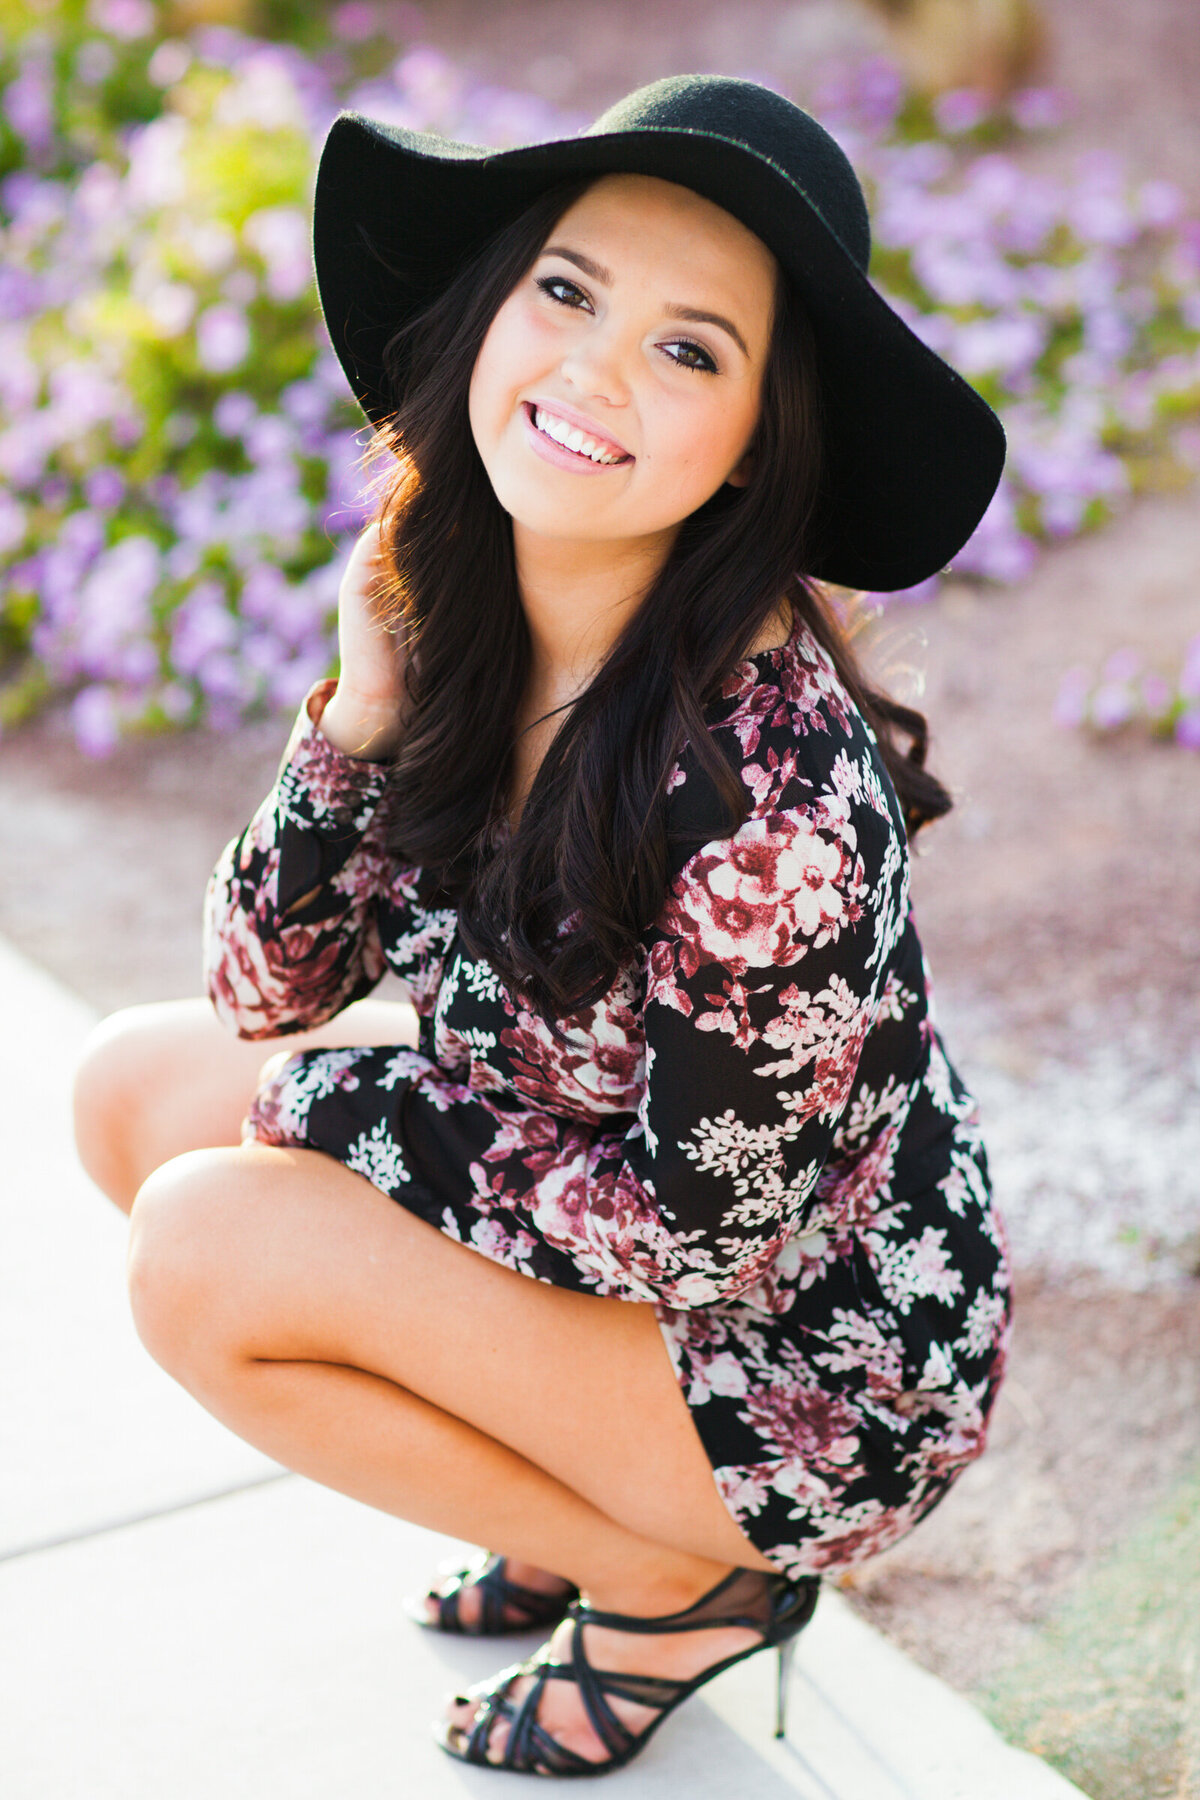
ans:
(578, 598)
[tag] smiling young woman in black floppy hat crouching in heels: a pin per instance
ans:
(602, 782)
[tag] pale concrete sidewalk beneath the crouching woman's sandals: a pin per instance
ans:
(184, 1621)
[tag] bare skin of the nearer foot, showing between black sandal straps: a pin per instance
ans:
(679, 1657)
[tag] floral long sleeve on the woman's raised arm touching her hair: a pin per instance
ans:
(292, 912)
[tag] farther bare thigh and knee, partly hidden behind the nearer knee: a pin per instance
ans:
(165, 1079)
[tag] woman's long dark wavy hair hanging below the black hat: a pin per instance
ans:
(559, 904)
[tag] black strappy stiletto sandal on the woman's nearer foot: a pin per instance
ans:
(769, 1605)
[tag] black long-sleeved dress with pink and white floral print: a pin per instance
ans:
(757, 1129)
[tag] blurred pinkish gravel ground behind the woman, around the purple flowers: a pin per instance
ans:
(1061, 903)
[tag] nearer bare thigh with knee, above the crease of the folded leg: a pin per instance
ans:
(303, 1259)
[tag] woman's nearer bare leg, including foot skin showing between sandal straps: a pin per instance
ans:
(366, 1349)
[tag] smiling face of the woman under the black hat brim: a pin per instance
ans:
(620, 382)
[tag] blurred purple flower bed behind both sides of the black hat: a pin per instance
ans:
(179, 453)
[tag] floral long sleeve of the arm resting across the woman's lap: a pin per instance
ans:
(670, 1147)
